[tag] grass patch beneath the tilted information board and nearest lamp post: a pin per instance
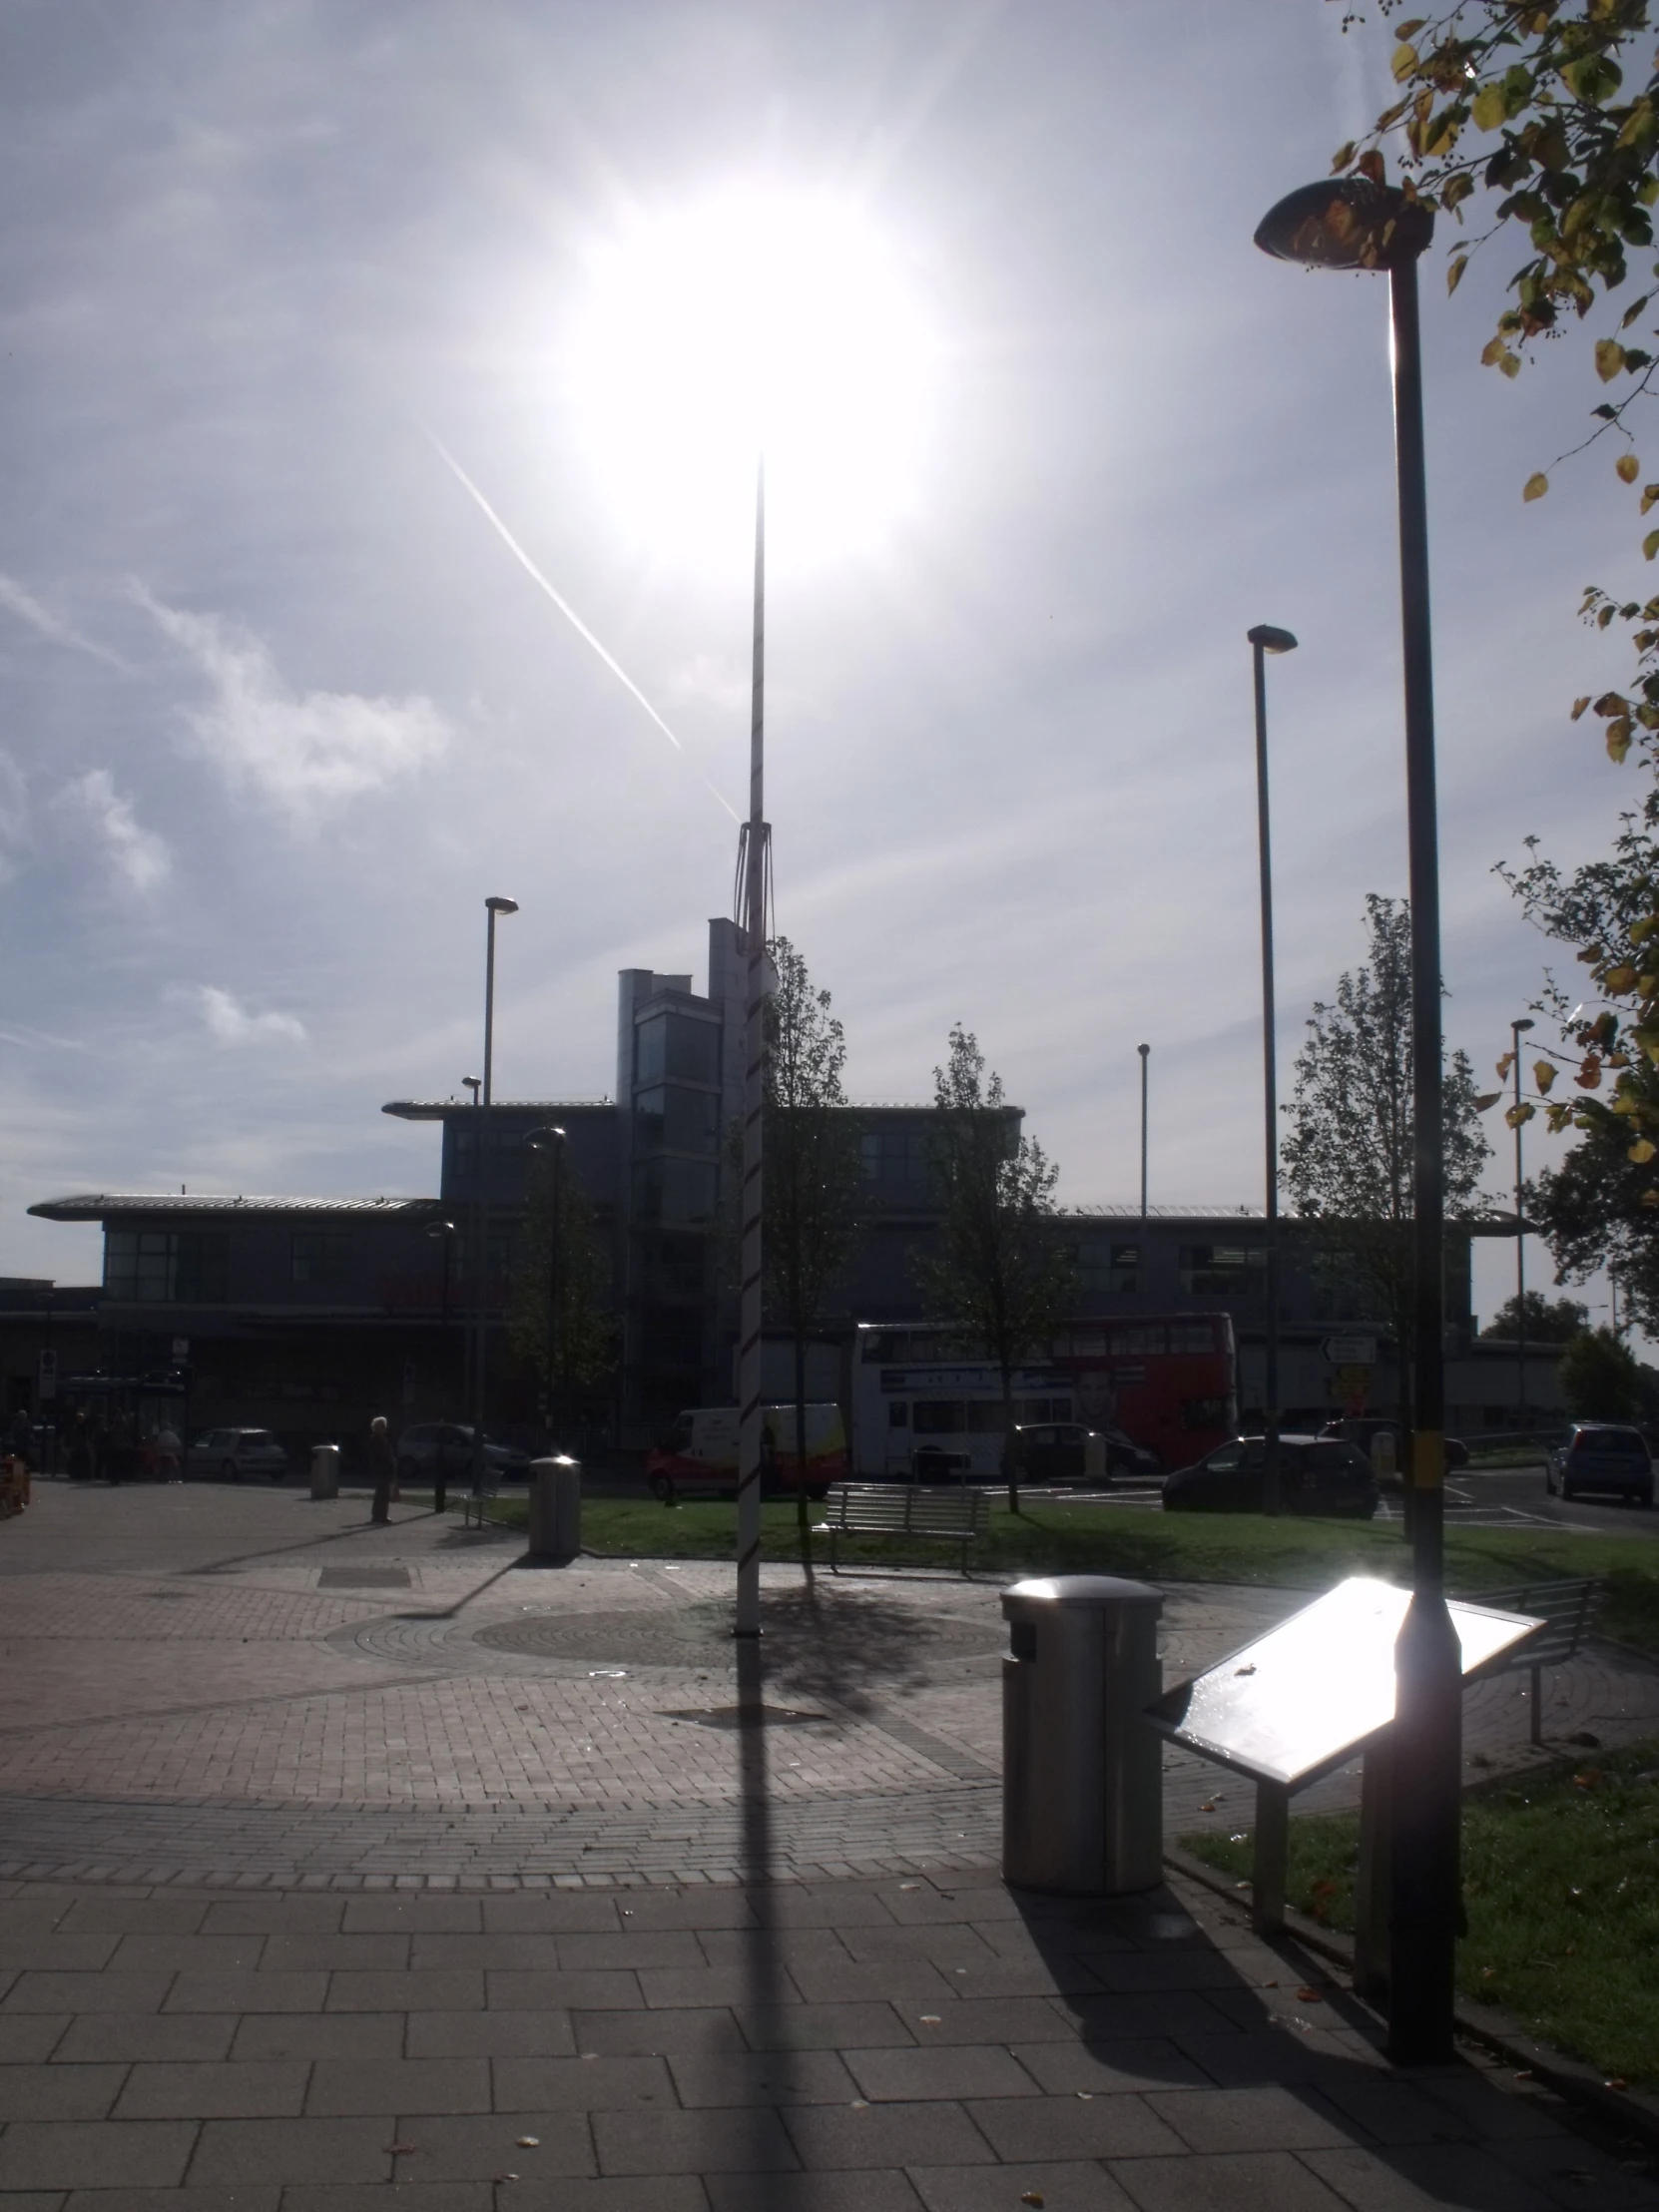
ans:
(1563, 1895)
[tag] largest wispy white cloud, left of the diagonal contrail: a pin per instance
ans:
(309, 753)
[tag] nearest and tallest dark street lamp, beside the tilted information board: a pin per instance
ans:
(1359, 225)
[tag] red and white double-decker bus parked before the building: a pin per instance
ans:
(1169, 1381)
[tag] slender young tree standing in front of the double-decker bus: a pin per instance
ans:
(1003, 1275)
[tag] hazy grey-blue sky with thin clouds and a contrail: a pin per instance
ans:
(282, 705)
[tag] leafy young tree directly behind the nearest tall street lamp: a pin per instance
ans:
(1350, 1154)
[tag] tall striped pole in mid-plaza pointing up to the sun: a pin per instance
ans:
(749, 1359)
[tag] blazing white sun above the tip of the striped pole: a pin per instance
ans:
(742, 324)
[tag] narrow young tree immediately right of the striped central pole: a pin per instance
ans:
(813, 1173)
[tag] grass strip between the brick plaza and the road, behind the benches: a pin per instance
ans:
(1160, 1547)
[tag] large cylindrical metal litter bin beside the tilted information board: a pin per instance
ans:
(1083, 1773)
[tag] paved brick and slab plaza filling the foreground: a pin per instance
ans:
(344, 1864)
